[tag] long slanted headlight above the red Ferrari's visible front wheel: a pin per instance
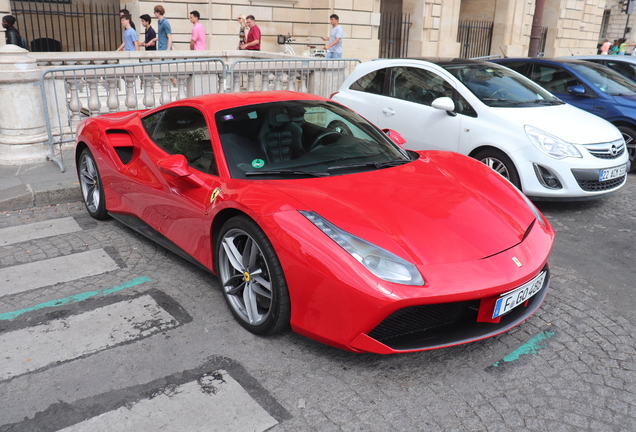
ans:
(381, 263)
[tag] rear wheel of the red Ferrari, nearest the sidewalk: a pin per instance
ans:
(91, 186)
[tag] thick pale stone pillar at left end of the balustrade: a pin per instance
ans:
(22, 121)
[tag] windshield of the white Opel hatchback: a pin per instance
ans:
(497, 86)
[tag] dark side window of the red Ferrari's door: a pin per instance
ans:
(183, 130)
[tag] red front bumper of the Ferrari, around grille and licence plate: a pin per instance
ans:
(338, 302)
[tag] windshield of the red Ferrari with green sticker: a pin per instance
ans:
(299, 139)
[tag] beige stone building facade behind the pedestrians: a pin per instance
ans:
(573, 26)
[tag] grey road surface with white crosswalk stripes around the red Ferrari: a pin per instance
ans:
(101, 329)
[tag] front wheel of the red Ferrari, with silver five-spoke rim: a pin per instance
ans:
(251, 277)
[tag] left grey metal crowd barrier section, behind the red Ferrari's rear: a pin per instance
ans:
(70, 94)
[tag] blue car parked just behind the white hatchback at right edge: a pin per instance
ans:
(589, 86)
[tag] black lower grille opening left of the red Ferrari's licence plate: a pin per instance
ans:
(422, 318)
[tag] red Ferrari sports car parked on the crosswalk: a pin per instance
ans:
(314, 218)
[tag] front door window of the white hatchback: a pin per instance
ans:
(418, 85)
